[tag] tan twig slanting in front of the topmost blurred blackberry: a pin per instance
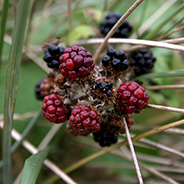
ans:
(116, 26)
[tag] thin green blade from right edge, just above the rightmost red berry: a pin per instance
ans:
(171, 73)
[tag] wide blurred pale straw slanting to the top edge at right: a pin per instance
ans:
(156, 16)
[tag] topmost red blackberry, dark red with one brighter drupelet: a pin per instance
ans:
(76, 63)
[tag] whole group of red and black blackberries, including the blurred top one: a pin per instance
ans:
(88, 97)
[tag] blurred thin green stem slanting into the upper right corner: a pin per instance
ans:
(164, 22)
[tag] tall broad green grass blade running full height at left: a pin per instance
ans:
(11, 83)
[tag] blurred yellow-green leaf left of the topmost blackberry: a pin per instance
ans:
(83, 31)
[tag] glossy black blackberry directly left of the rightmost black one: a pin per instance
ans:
(115, 62)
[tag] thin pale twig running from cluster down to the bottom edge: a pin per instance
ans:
(138, 171)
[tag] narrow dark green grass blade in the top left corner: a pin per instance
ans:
(3, 25)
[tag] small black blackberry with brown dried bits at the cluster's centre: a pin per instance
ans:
(102, 89)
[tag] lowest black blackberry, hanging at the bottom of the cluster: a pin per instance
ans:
(104, 136)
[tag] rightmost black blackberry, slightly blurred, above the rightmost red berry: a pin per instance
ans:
(142, 61)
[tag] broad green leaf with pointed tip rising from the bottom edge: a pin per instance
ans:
(33, 166)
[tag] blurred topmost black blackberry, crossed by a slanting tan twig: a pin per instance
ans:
(110, 20)
